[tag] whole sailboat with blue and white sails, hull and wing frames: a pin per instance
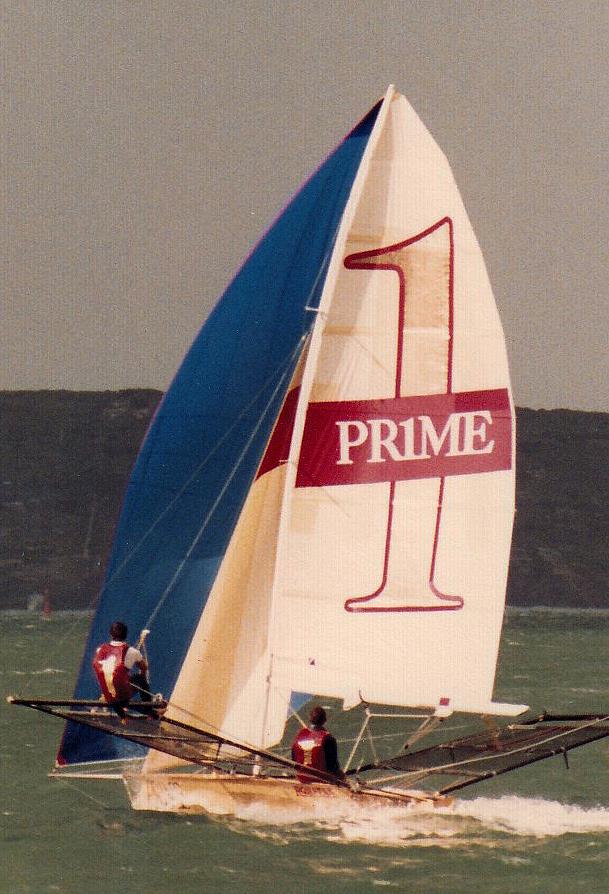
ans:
(323, 506)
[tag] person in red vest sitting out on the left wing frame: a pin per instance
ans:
(113, 663)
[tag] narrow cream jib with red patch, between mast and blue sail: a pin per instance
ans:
(224, 681)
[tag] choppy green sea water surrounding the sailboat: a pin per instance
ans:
(542, 829)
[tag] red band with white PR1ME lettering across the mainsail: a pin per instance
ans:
(397, 439)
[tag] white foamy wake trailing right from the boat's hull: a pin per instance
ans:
(479, 821)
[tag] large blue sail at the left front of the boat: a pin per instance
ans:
(207, 439)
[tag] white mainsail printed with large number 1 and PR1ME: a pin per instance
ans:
(446, 545)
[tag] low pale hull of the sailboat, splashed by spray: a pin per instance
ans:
(221, 794)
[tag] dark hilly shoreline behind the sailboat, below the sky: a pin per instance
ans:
(65, 458)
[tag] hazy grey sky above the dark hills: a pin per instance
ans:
(147, 146)
